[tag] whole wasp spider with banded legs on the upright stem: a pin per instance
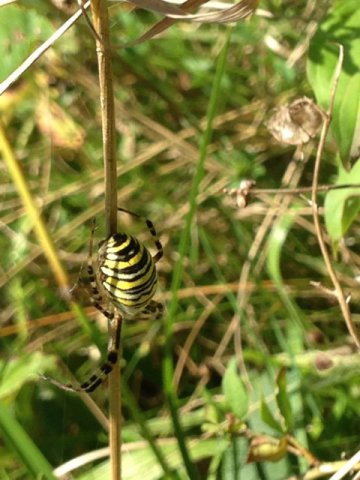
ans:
(123, 283)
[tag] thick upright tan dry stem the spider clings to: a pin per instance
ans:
(103, 49)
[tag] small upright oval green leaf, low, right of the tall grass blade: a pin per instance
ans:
(235, 393)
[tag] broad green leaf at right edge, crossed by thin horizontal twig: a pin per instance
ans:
(342, 205)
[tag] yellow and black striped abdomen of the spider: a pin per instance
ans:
(127, 273)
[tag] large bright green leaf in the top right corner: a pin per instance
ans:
(341, 26)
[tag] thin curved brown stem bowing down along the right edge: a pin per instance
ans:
(344, 306)
